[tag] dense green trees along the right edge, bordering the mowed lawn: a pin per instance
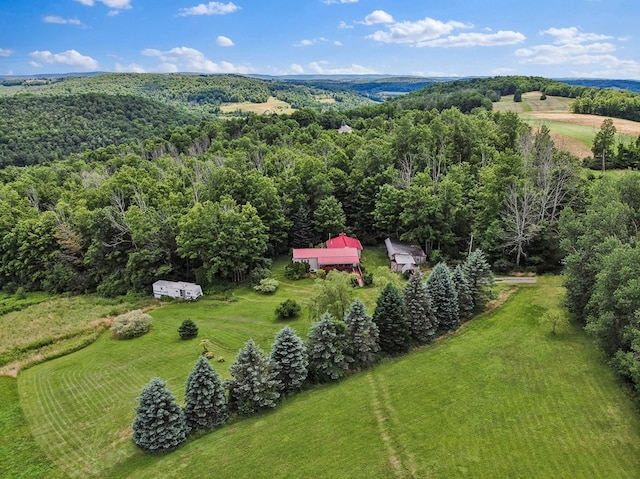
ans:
(602, 269)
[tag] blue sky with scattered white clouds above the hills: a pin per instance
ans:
(572, 38)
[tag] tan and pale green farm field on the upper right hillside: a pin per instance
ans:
(570, 131)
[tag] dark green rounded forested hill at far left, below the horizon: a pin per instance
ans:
(37, 129)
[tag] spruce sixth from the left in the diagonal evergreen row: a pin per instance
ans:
(362, 336)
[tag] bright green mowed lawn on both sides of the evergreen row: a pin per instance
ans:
(501, 398)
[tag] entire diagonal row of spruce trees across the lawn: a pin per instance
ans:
(335, 346)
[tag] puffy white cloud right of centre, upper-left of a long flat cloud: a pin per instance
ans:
(416, 32)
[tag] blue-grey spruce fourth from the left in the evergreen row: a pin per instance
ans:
(289, 360)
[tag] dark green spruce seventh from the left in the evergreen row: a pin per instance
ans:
(391, 320)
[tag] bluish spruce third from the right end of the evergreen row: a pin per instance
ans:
(444, 297)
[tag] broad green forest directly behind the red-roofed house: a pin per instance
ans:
(214, 201)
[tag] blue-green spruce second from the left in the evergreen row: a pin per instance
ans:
(205, 398)
